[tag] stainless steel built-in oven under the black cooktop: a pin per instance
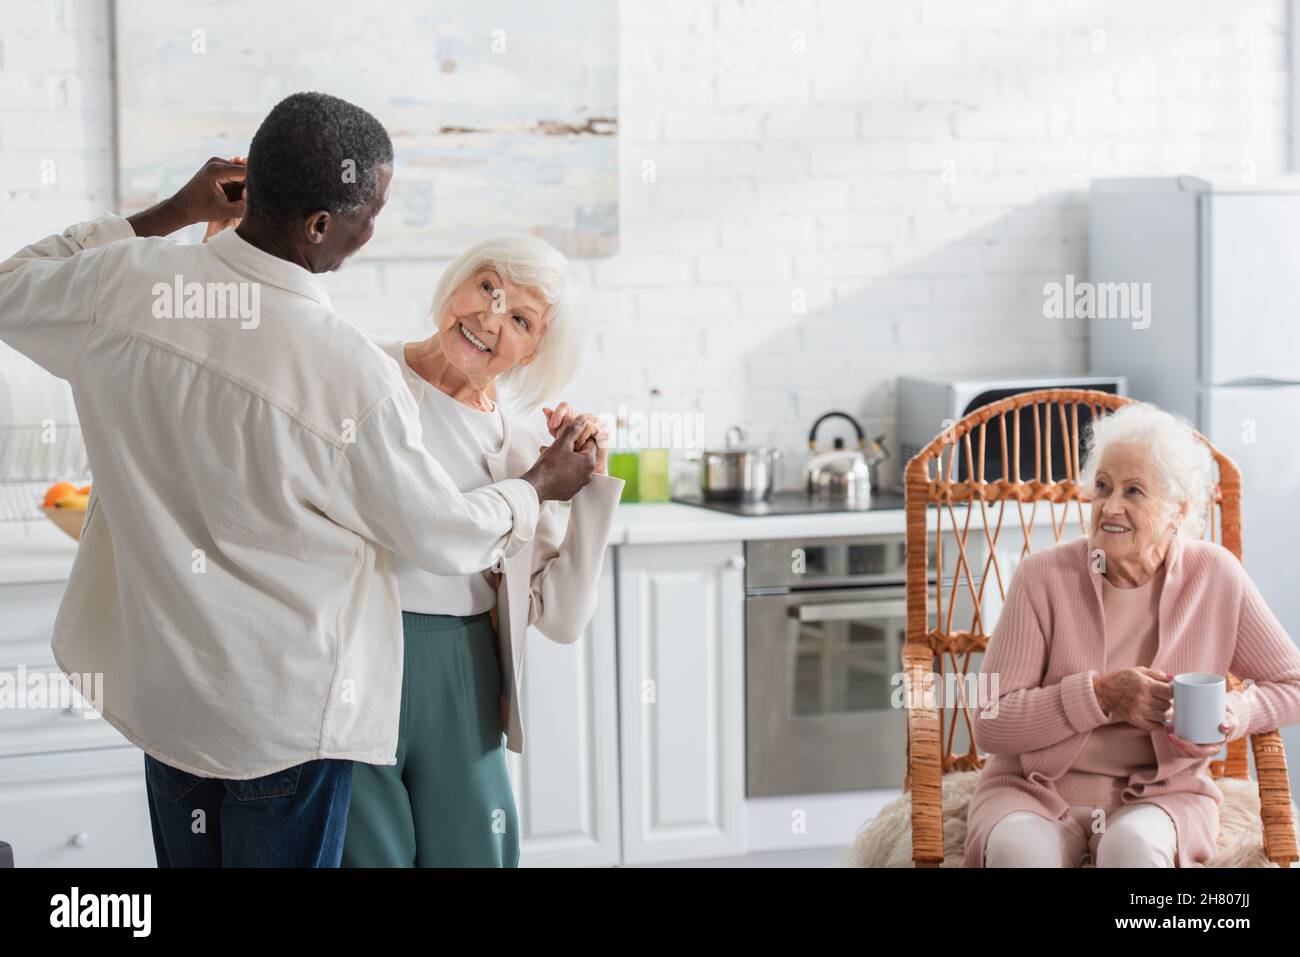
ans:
(825, 627)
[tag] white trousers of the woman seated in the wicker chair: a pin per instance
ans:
(1133, 835)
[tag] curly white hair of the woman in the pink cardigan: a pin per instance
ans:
(1182, 460)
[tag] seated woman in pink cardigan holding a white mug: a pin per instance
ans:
(1084, 760)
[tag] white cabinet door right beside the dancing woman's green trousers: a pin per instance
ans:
(567, 781)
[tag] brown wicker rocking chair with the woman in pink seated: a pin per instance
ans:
(957, 495)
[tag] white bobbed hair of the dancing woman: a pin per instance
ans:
(530, 262)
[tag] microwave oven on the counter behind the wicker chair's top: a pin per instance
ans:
(928, 406)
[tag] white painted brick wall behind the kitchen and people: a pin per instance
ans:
(915, 176)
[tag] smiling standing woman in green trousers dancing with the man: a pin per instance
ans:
(506, 311)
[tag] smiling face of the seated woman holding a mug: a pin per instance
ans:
(1132, 513)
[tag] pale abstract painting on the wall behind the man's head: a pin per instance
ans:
(504, 116)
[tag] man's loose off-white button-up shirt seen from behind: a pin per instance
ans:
(254, 480)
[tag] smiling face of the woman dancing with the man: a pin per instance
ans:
(489, 326)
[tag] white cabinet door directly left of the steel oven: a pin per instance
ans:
(682, 700)
